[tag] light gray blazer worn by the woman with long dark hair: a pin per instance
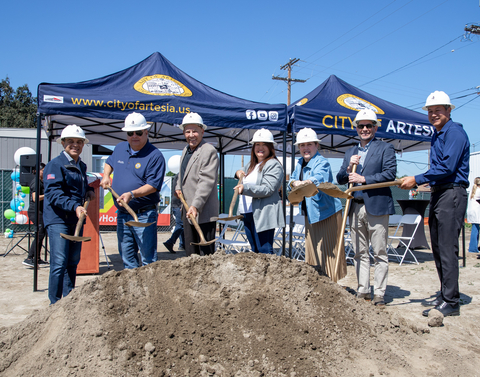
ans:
(266, 201)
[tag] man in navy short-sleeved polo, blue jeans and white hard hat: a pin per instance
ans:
(138, 169)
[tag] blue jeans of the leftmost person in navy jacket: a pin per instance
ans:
(64, 258)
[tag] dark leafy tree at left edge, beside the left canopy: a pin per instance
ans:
(18, 108)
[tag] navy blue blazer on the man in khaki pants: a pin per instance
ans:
(380, 166)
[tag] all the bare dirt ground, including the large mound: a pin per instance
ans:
(232, 315)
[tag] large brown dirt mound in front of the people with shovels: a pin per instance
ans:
(242, 315)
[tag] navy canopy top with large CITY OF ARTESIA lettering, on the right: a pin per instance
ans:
(331, 108)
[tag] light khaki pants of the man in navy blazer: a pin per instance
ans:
(366, 229)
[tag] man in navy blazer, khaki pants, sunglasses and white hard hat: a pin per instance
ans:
(376, 162)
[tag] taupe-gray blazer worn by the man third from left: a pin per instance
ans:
(199, 185)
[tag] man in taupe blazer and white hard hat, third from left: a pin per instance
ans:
(198, 183)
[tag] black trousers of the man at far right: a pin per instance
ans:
(446, 217)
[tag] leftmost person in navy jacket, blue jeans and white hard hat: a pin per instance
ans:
(66, 189)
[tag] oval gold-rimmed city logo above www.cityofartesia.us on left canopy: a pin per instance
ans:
(161, 85)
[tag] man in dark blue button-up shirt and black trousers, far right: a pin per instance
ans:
(448, 178)
